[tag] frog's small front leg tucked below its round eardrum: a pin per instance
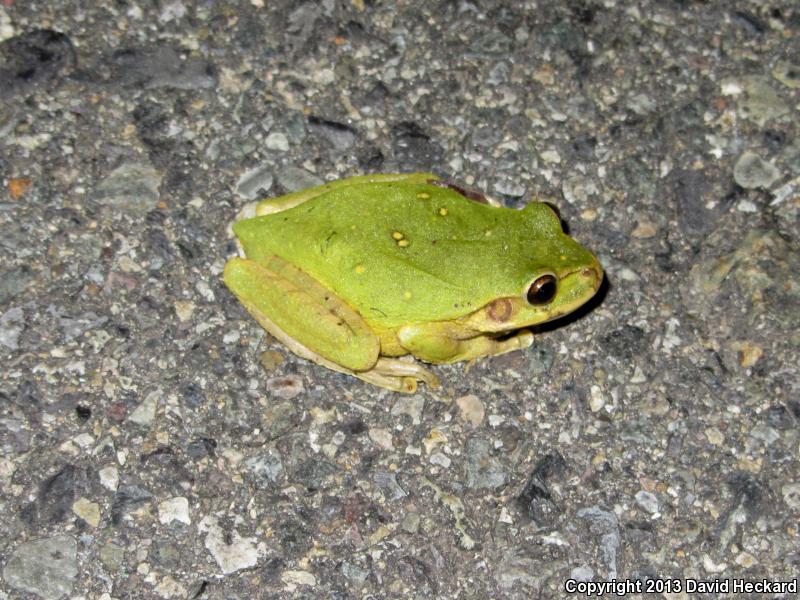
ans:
(450, 342)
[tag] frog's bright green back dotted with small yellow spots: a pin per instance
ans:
(401, 252)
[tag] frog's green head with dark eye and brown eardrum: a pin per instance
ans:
(554, 276)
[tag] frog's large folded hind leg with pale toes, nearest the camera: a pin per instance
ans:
(314, 323)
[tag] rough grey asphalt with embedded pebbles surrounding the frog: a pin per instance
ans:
(155, 443)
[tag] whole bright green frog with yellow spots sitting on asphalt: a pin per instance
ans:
(373, 274)
